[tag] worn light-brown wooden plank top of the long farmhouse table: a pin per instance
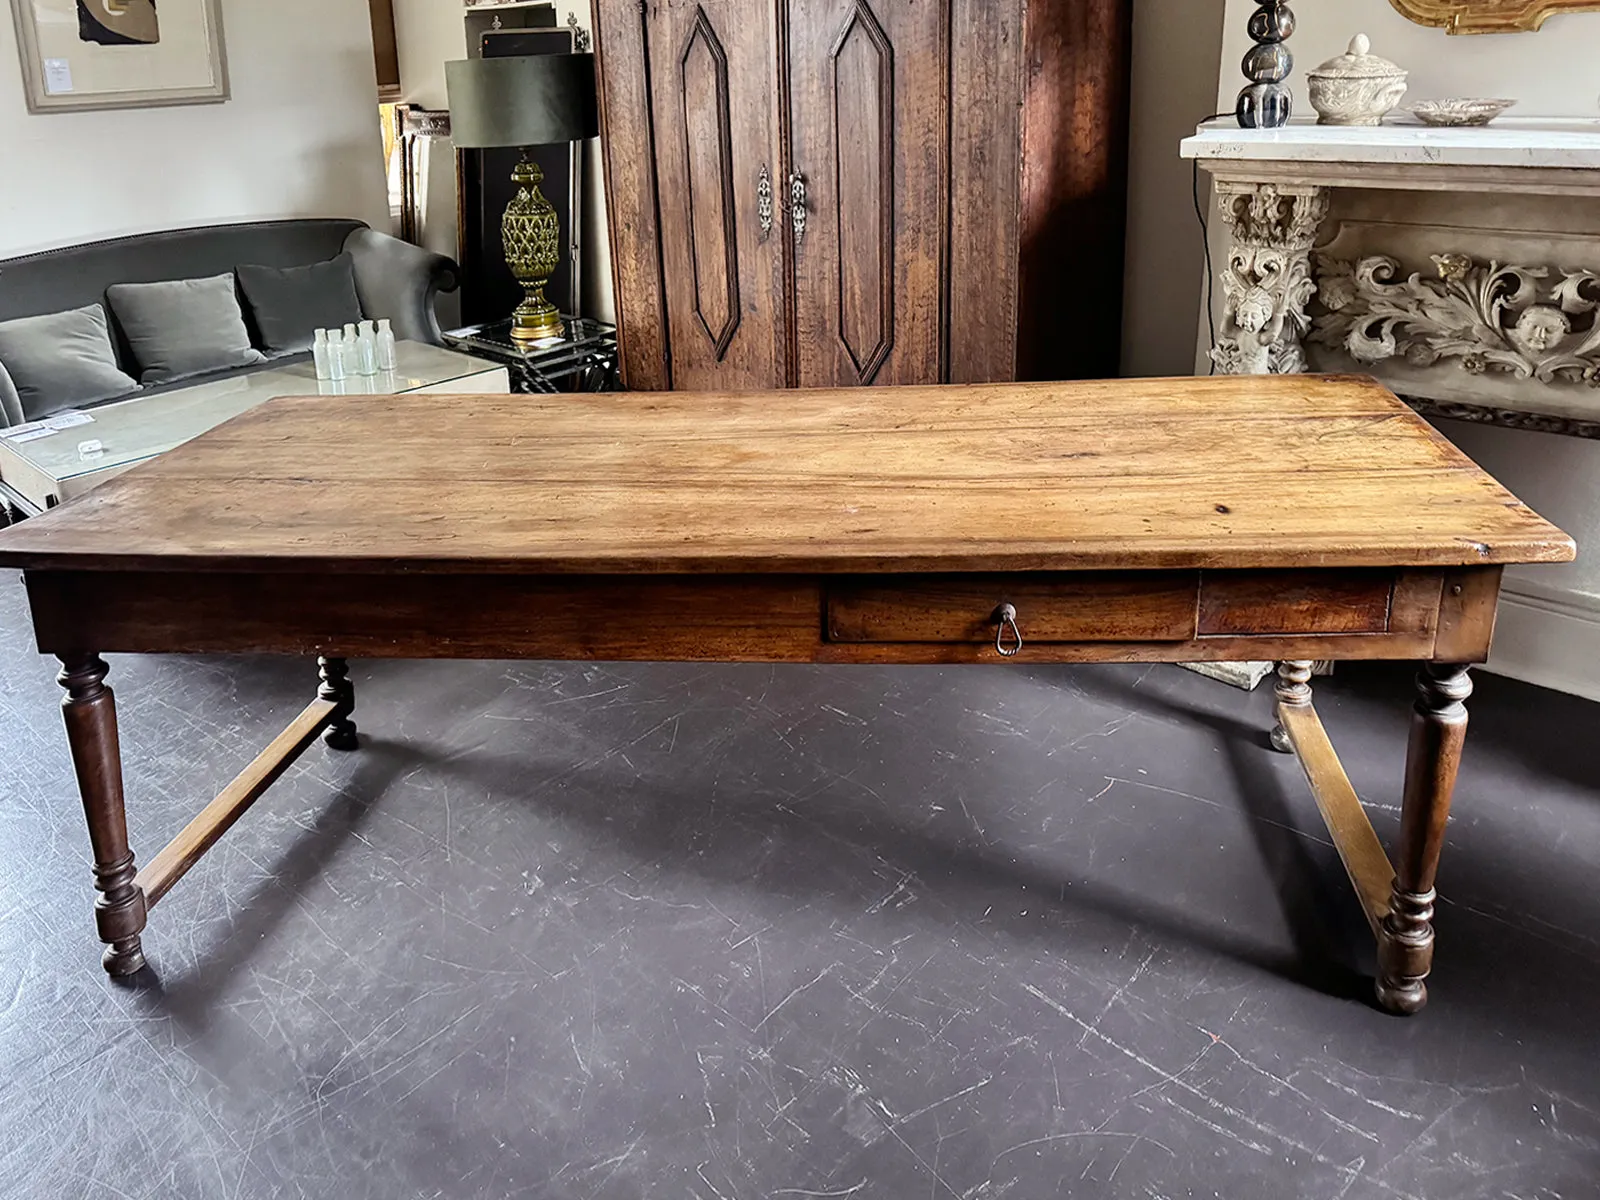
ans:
(1225, 473)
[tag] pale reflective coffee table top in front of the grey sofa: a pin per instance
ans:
(145, 426)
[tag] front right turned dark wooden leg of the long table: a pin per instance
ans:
(1406, 940)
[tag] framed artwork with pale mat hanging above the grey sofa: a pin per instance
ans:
(121, 54)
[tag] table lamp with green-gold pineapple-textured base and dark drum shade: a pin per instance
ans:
(537, 100)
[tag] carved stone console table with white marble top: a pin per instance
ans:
(1458, 266)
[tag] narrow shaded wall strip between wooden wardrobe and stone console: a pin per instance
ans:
(1175, 81)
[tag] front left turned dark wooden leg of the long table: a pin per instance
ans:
(92, 732)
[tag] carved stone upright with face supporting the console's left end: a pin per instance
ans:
(1268, 282)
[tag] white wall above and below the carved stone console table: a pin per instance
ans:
(1550, 625)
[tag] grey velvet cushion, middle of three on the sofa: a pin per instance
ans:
(185, 327)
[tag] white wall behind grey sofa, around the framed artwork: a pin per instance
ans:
(298, 138)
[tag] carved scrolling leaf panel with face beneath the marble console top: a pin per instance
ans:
(1537, 324)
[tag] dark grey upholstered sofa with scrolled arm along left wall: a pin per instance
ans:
(393, 279)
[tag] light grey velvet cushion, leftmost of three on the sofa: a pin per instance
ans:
(62, 361)
